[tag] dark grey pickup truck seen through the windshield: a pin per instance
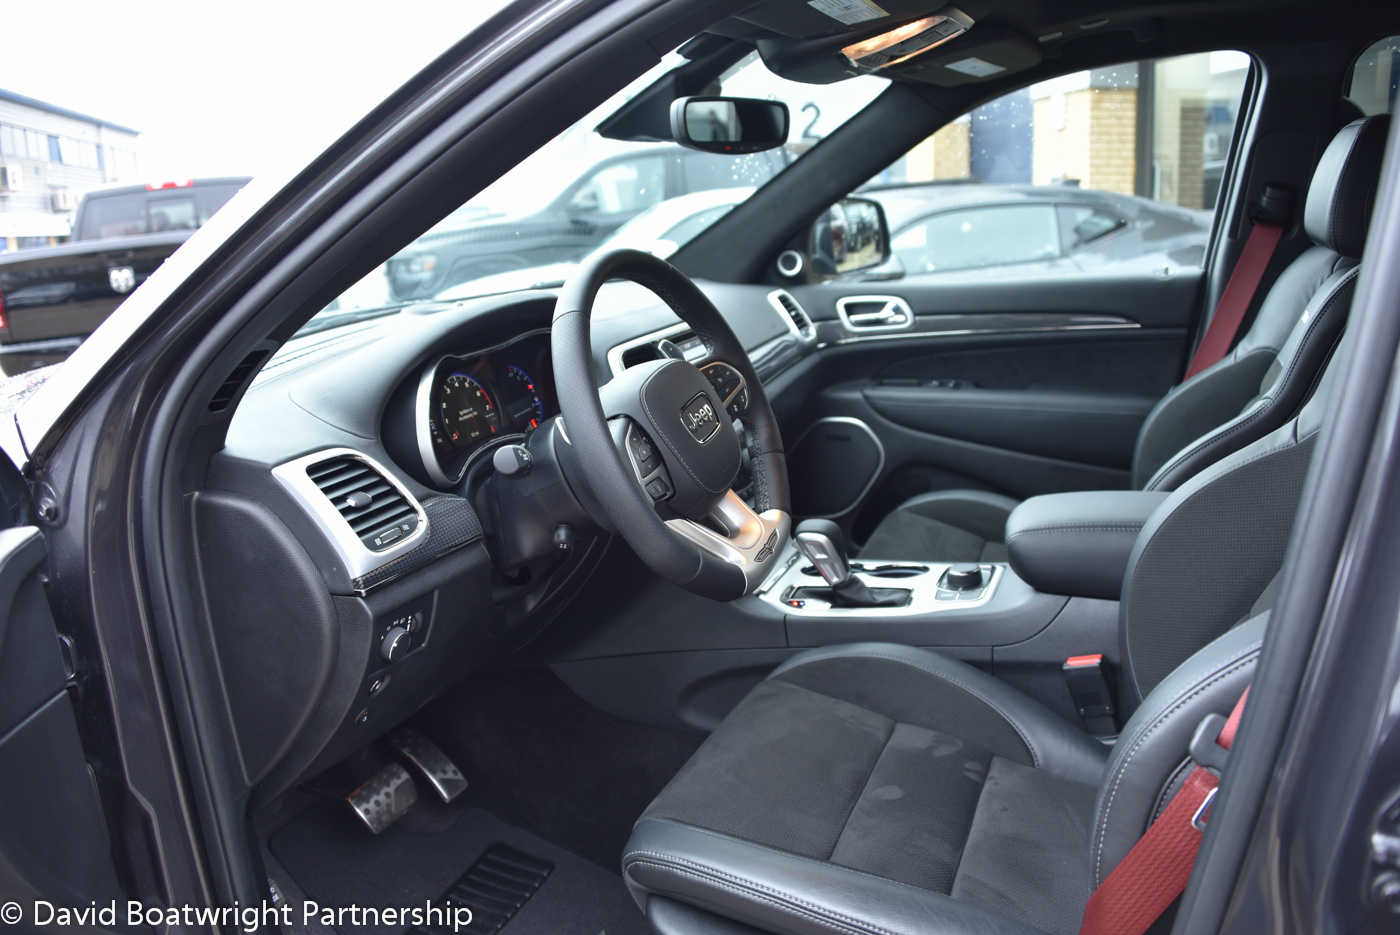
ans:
(579, 219)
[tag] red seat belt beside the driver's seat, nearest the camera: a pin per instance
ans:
(1158, 867)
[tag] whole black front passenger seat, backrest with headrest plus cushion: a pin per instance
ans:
(1255, 390)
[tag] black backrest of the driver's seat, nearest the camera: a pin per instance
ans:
(1196, 601)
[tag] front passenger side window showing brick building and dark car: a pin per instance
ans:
(1150, 139)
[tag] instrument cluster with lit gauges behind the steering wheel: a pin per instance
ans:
(467, 401)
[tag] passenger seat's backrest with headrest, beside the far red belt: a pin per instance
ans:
(1263, 381)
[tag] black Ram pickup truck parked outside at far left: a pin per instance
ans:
(54, 297)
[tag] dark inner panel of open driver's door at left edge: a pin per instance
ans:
(54, 842)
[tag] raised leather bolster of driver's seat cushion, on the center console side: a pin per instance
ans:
(1055, 744)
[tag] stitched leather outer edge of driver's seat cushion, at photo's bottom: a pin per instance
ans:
(790, 895)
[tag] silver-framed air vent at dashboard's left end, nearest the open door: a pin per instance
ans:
(356, 503)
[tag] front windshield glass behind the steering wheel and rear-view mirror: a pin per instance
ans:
(583, 192)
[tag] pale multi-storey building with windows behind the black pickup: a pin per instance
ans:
(50, 157)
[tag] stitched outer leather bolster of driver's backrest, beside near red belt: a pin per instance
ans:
(1157, 740)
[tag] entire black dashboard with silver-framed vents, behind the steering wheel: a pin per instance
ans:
(349, 435)
